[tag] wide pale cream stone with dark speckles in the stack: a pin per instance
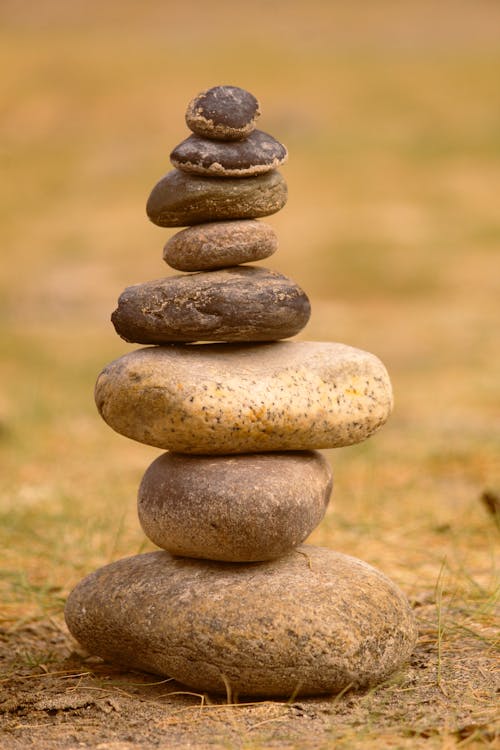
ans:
(229, 398)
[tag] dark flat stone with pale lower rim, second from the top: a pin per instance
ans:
(257, 154)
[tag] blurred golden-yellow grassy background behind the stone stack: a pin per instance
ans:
(391, 114)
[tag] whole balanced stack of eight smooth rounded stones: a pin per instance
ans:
(234, 602)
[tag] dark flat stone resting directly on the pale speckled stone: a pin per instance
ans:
(243, 303)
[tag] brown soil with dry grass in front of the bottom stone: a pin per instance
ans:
(54, 697)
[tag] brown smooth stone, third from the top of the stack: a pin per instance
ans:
(180, 199)
